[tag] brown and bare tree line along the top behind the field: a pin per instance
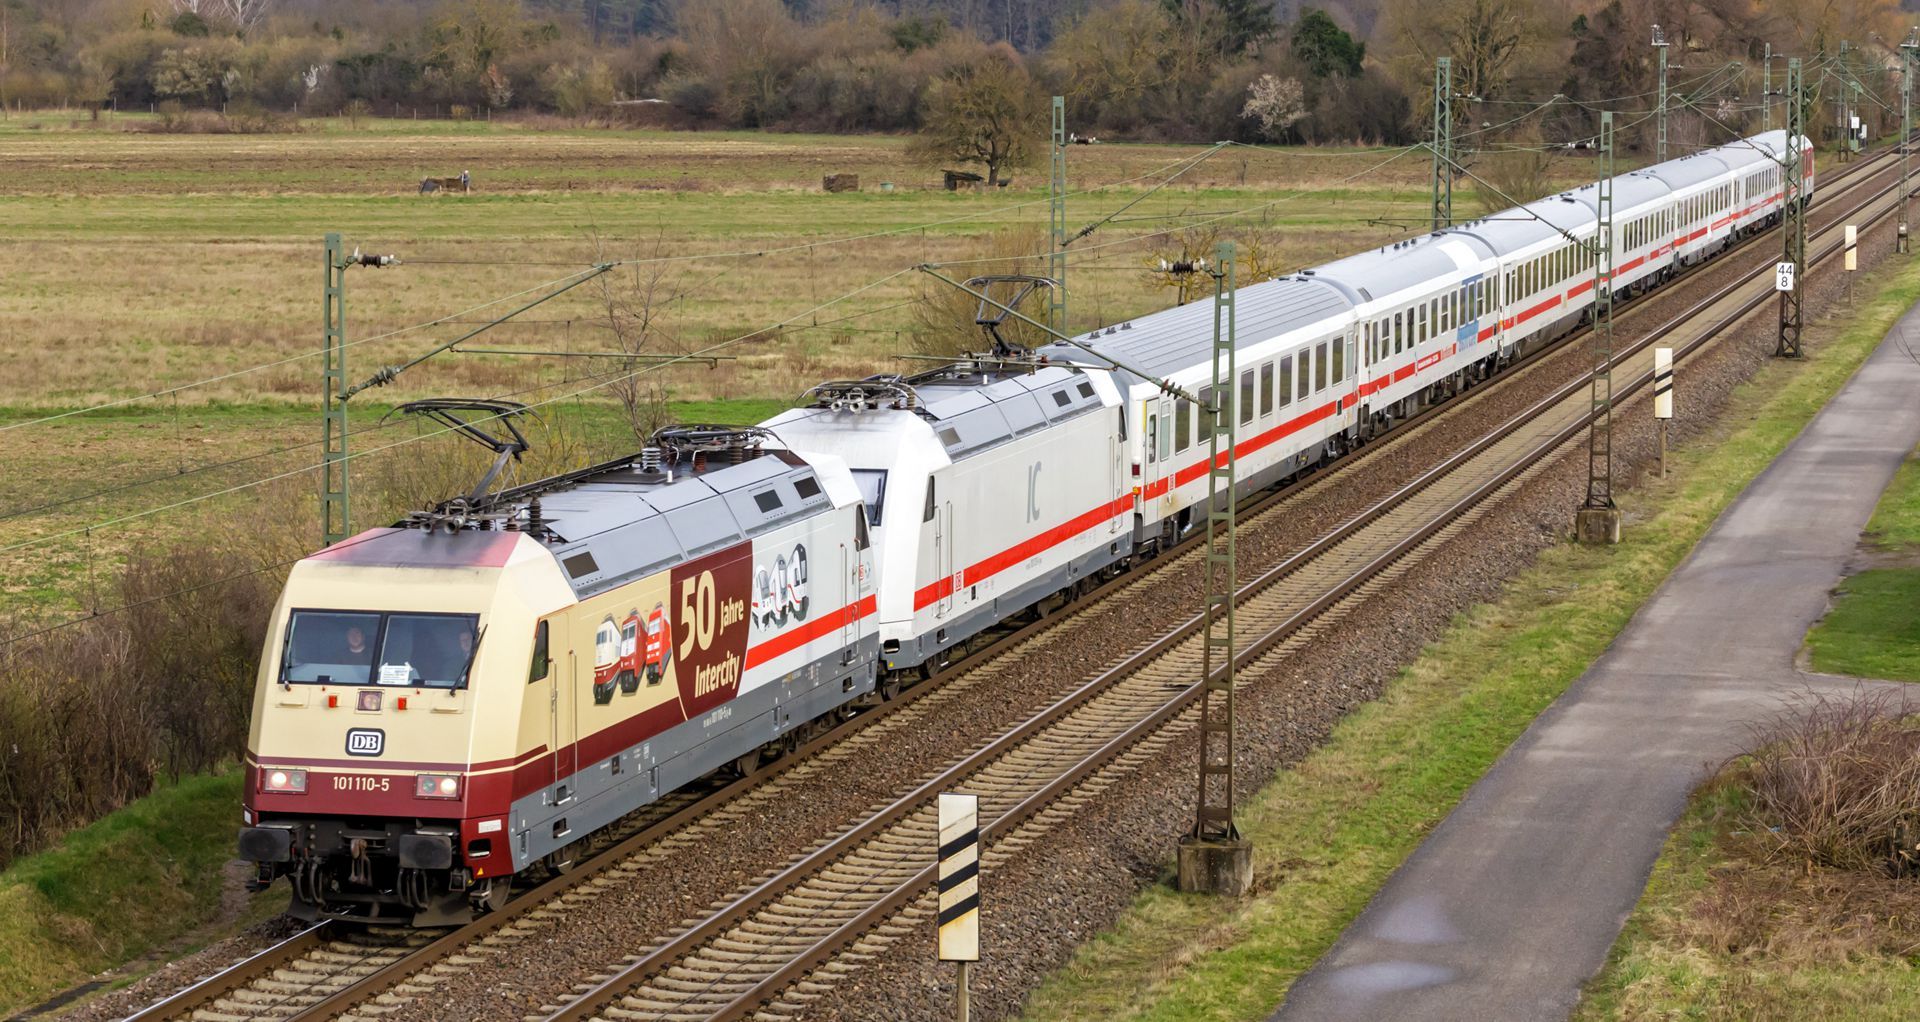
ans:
(1161, 70)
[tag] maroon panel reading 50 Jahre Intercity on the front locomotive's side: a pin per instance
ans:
(709, 614)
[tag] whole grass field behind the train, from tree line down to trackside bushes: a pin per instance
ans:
(139, 264)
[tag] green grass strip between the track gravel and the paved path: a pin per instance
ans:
(1337, 825)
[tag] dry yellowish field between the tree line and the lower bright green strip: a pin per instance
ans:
(139, 260)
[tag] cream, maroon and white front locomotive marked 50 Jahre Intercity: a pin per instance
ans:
(468, 694)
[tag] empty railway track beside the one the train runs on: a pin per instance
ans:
(773, 952)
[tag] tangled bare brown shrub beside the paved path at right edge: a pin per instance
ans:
(1835, 779)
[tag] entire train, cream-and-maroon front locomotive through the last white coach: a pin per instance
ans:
(462, 700)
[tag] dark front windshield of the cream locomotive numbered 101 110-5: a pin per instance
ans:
(356, 648)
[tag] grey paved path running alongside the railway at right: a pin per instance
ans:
(1518, 896)
